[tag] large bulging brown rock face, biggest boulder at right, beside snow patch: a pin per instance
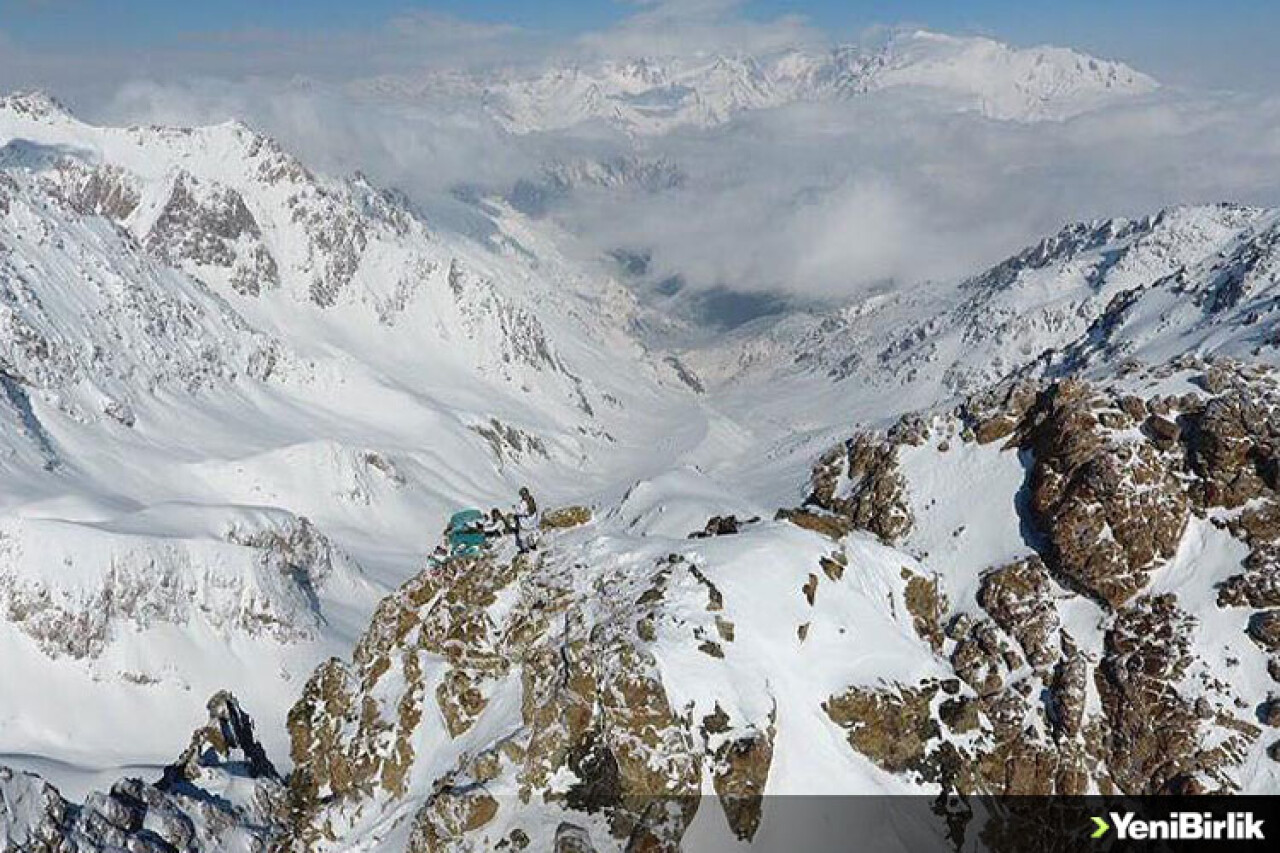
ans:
(1109, 508)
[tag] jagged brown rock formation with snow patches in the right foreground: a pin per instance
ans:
(1112, 499)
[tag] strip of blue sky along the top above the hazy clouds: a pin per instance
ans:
(1229, 43)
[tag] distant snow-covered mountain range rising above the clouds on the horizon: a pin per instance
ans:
(656, 95)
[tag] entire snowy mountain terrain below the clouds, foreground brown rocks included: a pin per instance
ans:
(1016, 535)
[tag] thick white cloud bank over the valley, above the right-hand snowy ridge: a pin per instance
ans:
(831, 200)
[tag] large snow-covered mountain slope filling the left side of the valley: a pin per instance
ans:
(237, 400)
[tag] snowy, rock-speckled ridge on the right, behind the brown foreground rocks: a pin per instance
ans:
(1092, 297)
